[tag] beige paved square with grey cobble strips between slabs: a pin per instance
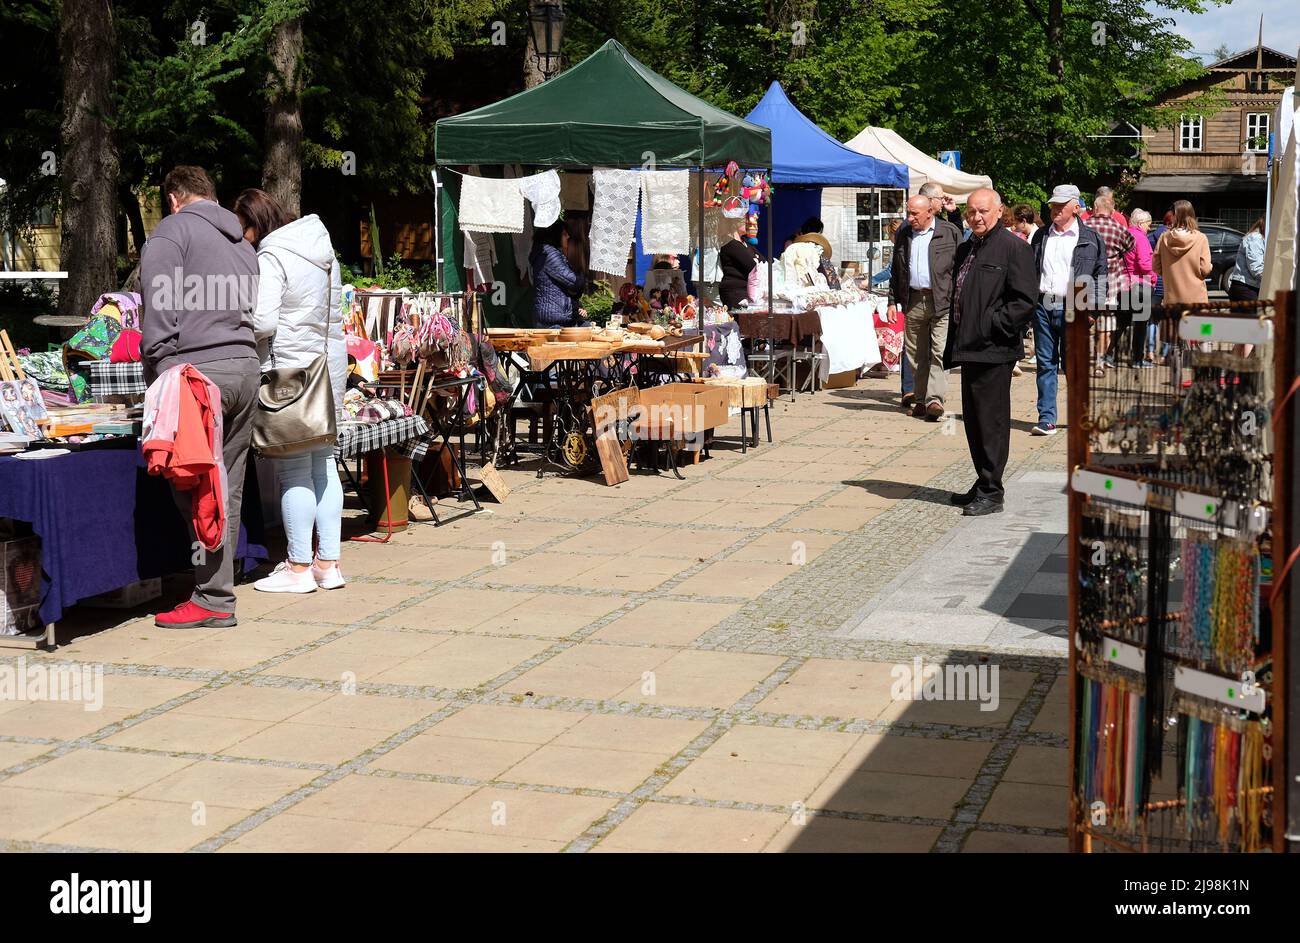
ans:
(703, 665)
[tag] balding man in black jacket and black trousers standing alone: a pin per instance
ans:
(994, 295)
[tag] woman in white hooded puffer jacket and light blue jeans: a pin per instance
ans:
(300, 293)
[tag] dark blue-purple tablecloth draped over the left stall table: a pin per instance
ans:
(103, 524)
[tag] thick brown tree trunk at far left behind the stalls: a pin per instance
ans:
(88, 50)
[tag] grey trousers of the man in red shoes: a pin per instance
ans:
(215, 573)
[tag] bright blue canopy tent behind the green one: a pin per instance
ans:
(807, 159)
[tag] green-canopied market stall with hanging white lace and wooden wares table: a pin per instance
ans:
(580, 131)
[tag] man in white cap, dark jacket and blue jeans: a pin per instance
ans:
(1071, 265)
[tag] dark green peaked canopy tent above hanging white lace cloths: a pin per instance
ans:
(606, 111)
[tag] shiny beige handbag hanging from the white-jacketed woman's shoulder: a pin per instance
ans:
(296, 408)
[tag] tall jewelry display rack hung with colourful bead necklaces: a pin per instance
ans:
(1181, 548)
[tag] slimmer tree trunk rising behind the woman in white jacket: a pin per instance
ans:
(283, 171)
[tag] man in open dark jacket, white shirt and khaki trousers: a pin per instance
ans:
(921, 282)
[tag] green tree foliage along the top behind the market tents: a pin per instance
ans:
(1025, 89)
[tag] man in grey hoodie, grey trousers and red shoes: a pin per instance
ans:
(200, 283)
